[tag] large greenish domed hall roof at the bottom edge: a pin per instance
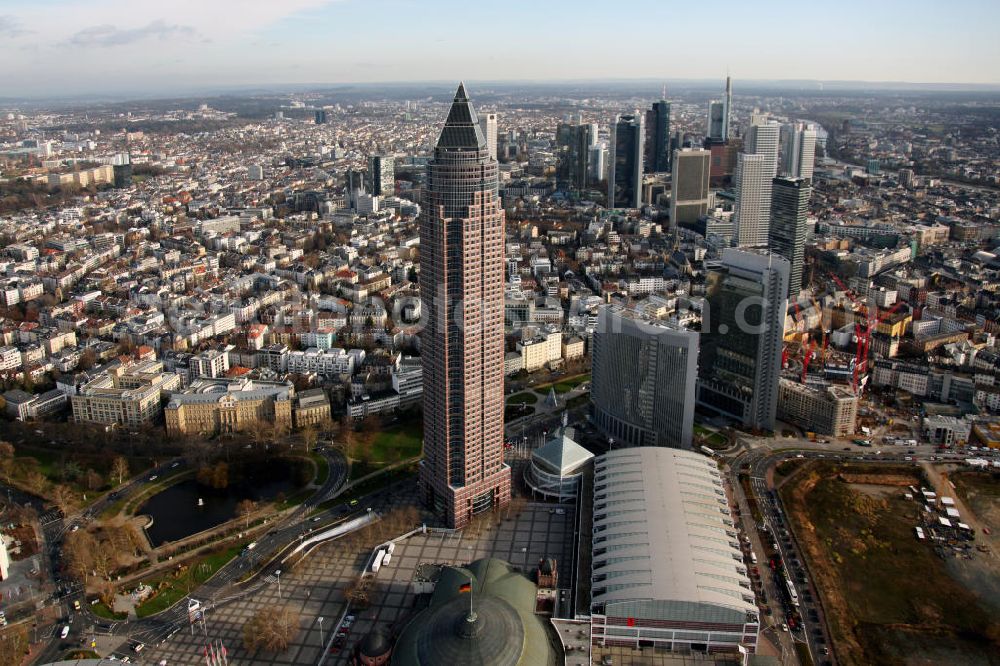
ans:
(480, 615)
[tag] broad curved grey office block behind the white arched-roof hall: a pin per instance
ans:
(644, 374)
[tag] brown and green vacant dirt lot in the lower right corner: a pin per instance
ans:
(889, 598)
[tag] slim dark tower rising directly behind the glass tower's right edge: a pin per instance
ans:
(789, 210)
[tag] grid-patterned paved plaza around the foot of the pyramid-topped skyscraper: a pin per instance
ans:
(316, 588)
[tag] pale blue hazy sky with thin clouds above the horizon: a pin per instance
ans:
(51, 47)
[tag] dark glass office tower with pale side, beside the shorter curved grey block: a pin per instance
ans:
(742, 335)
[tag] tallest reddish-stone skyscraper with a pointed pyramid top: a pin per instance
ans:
(462, 344)
